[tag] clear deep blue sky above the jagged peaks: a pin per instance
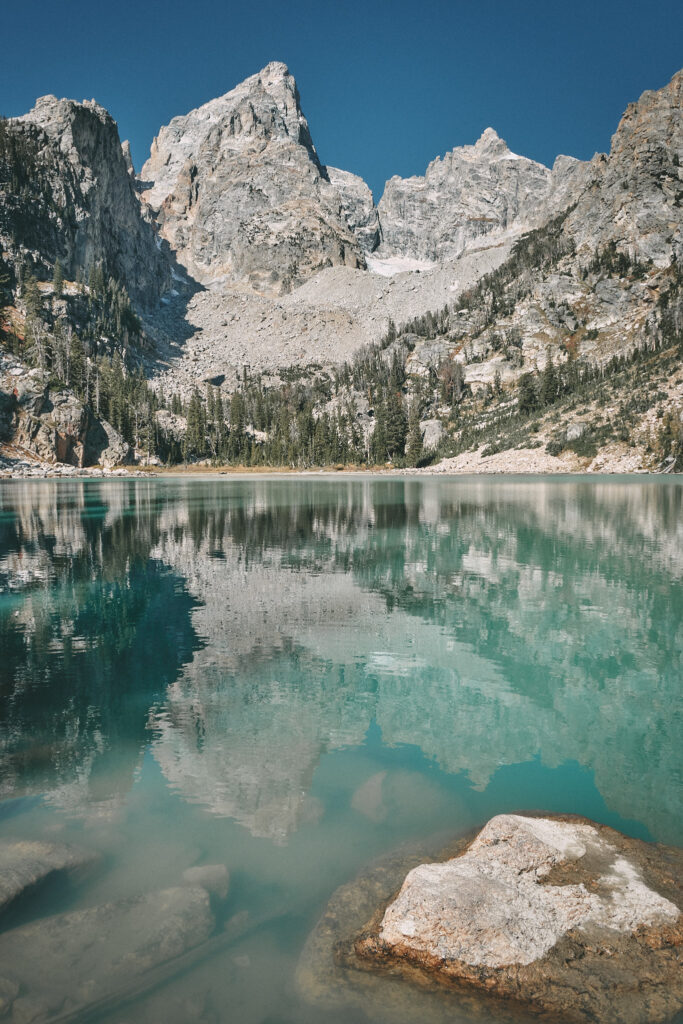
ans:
(387, 84)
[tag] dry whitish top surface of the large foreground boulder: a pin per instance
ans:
(492, 907)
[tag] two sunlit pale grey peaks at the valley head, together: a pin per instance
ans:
(240, 194)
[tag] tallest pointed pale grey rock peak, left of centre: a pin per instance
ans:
(240, 194)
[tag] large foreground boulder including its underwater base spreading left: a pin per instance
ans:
(554, 915)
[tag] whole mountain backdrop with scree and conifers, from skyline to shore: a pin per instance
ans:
(240, 303)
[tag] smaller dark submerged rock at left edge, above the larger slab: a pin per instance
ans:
(27, 864)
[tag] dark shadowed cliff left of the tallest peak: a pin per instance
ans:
(80, 204)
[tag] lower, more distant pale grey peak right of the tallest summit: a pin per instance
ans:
(472, 192)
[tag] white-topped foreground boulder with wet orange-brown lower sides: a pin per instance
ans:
(570, 917)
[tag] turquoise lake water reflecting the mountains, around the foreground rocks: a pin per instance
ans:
(295, 676)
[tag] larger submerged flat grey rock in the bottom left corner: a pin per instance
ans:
(74, 960)
